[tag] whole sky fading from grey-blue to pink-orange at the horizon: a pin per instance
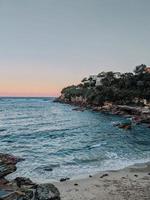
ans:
(46, 45)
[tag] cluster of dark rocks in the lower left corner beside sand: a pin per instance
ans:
(22, 188)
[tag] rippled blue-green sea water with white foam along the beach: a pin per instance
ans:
(58, 142)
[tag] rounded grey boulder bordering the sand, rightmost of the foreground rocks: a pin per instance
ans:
(47, 192)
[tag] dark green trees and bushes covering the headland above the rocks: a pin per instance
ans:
(116, 87)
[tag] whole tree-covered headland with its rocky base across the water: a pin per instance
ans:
(125, 94)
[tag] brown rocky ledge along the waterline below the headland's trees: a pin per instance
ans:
(137, 113)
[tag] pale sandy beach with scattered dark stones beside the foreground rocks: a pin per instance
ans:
(130, 183)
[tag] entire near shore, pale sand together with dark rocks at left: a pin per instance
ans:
(130, 183)
